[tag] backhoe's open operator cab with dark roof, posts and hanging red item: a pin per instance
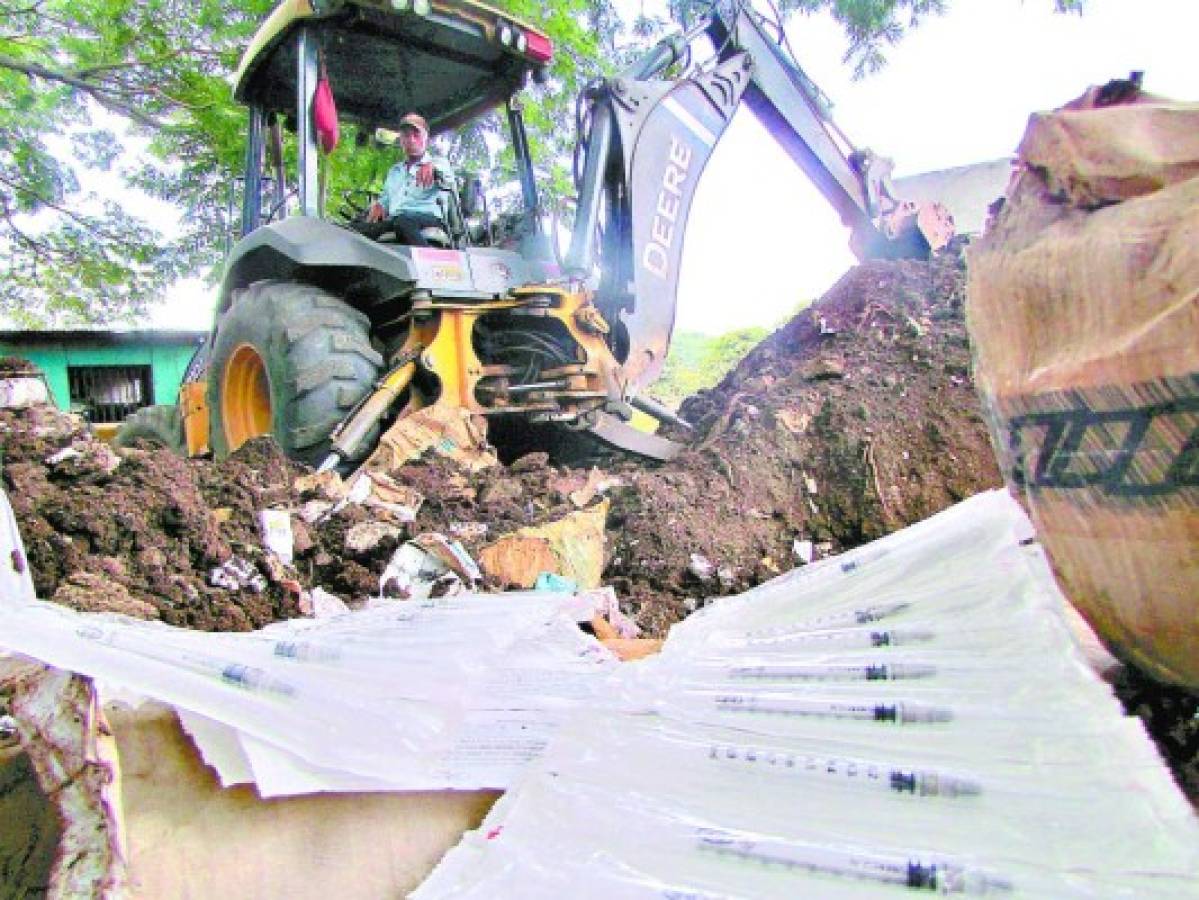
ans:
(450, 61)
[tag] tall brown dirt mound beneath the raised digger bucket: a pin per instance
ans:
(857, 419)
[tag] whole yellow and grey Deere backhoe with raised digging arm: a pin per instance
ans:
(323, 337)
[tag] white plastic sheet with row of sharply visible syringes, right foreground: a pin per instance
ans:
(772, 752)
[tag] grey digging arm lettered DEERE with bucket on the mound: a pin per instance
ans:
(648, 143)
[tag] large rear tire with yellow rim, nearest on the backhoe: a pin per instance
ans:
(292, 361)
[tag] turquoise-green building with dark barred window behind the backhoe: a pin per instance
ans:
(106, 376)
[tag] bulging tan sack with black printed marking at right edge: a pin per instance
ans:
(1084, 315)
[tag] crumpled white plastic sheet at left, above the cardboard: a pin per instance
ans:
(402, 697)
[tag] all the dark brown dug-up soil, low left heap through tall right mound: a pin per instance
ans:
(855, 420)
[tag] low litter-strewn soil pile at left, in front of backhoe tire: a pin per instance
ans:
(143, 533)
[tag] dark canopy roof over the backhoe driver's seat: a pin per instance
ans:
(449, 61)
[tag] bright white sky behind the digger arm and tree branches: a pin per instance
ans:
(959, 90)
